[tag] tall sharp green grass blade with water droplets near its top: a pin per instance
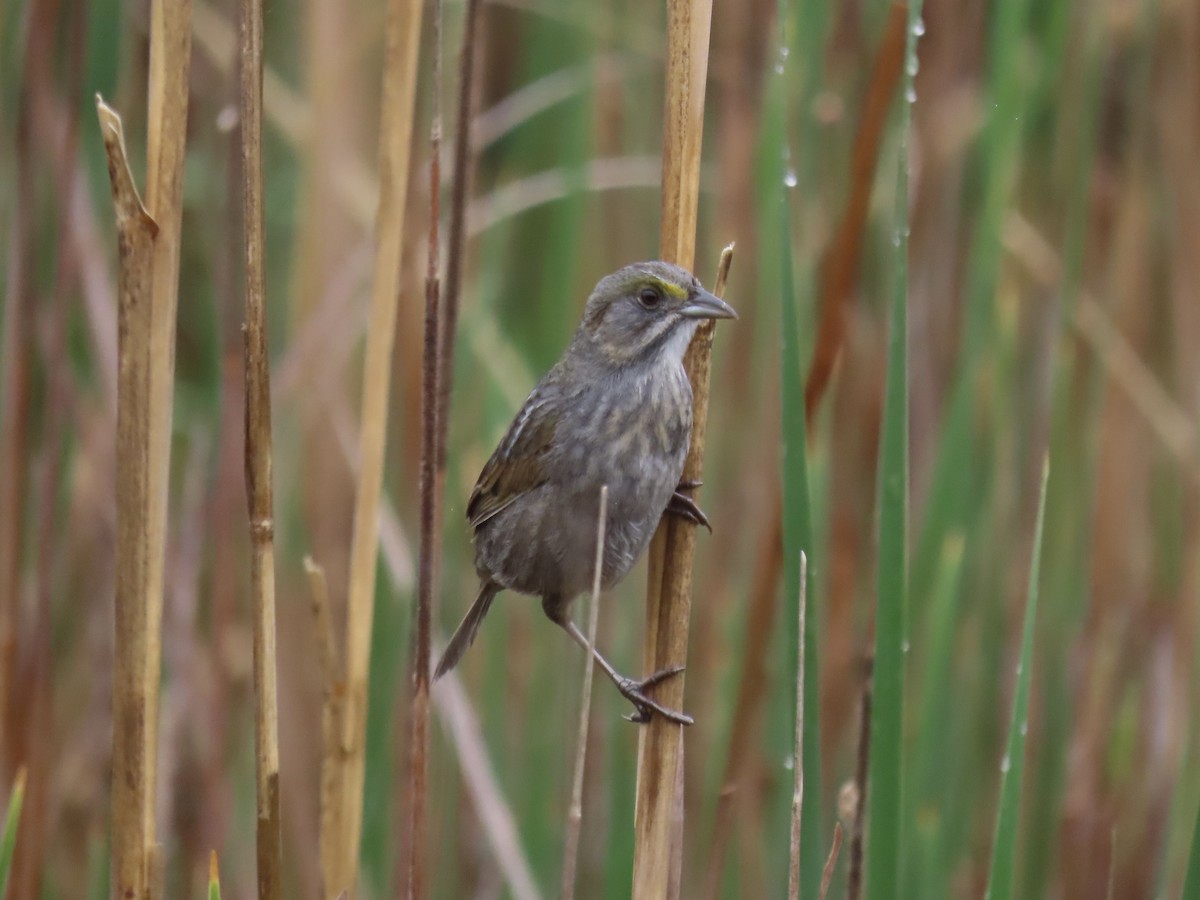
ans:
(886, 766)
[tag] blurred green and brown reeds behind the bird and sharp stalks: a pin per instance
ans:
(1054, 302)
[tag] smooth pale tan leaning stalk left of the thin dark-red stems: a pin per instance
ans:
(404, 28)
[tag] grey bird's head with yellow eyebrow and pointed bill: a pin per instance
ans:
(647, 311)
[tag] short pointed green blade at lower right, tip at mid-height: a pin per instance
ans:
(1004, 855)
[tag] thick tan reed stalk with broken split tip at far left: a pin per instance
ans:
(148, 239)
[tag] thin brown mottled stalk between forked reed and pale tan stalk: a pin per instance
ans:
(259, 458)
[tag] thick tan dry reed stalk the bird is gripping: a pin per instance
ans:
(669, 589)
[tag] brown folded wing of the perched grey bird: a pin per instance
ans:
(517, 467)
